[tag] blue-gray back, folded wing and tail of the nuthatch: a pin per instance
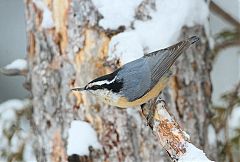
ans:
(142, 74)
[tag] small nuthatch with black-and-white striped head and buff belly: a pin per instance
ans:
(138, 81)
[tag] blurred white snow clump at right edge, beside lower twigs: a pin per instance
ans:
(234, 122)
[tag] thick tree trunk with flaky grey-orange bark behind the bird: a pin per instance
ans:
(73, 53)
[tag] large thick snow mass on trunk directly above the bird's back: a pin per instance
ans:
(161, 31)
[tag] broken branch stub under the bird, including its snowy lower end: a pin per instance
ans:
(174, 140)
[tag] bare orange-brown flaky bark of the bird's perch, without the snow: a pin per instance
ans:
(168, 132)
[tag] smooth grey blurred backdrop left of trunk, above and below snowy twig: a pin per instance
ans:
(13, 46)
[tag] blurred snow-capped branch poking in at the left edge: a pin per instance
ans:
(17, 67)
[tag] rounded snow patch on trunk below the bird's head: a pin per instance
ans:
(81, 137)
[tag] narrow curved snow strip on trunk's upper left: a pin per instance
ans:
(47, 20)
